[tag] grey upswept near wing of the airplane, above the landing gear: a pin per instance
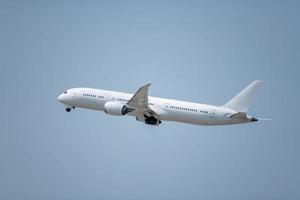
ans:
(139, 102)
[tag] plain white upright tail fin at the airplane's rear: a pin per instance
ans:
(241, 102)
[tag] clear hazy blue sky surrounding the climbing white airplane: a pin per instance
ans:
(201, 51)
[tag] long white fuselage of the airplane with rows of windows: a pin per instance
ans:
(166, 109)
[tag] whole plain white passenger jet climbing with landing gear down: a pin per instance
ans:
(153, 110)
